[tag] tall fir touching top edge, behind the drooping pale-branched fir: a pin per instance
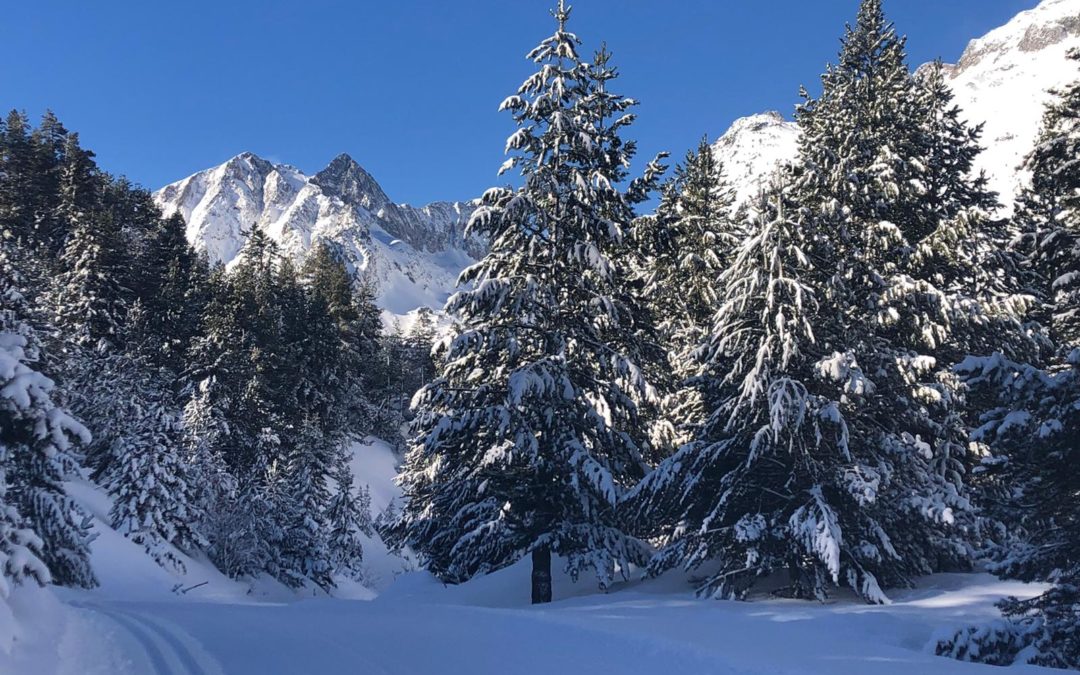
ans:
(886, 170)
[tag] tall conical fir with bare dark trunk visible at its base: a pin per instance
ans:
(531, 433)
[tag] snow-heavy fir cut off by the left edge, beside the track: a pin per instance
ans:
(45, 533)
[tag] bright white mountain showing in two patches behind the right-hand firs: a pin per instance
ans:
(1003, 82)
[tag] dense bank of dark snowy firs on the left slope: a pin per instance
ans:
(215, 407)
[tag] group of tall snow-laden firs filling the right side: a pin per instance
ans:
(800, 394)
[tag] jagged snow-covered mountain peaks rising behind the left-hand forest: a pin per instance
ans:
(414, 254)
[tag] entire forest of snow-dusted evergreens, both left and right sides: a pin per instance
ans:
(868, 374)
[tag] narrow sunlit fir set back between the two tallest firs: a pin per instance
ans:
(688, 242)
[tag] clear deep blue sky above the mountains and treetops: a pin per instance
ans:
(410, 88)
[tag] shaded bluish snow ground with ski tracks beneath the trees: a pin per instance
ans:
(142, 622)
